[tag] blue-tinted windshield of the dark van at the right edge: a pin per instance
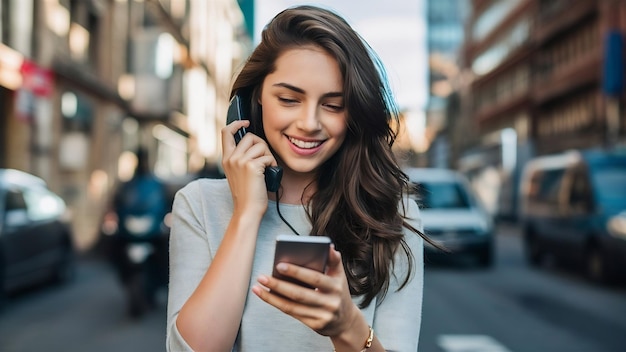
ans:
(609, 183)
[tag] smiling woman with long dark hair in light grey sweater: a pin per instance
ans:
(319, 108)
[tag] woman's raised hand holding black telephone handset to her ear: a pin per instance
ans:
(244, 166)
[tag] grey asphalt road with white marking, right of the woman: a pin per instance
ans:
(513, 308)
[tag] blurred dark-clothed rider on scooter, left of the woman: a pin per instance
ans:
(139, 246)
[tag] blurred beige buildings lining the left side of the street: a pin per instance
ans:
(83, 82)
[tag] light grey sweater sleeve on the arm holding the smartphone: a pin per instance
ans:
(398, 317)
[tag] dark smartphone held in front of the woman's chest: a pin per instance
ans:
(308, 251)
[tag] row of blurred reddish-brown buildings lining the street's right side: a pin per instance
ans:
(541, 77)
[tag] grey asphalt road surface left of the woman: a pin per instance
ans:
(88, 314)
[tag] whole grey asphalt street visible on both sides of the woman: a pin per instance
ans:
(509, 308)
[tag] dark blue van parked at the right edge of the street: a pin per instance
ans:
(573, 209)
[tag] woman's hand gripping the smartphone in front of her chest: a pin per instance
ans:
(328, 309)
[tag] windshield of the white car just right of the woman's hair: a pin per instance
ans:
(441, 195)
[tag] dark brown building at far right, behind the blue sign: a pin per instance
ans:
(571, 100)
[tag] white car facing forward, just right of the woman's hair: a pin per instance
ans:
(452, 214)
